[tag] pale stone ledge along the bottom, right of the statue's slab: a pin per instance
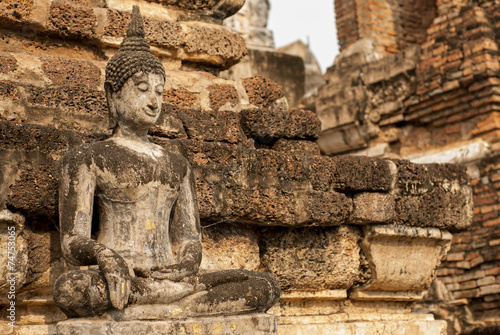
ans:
(351, 324)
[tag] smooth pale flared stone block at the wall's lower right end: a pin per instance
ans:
(401, 259)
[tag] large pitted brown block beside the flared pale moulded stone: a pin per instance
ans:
(312, 259)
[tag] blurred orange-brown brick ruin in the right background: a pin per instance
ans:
(433, 101)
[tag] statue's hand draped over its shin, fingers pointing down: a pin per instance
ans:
(115, 270)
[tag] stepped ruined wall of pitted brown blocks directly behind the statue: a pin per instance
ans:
(332, 230)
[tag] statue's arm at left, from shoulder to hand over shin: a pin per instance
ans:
(76, 199)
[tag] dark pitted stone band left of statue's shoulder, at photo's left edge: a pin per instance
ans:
(30, 167)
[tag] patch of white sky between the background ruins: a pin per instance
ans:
(291, 20)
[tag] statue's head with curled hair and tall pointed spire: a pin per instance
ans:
(134, 79)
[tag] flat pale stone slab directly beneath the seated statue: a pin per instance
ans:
(258, 324)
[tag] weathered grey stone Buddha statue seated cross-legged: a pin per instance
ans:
(148, 246)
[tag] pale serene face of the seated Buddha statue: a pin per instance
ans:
(138, 104)
